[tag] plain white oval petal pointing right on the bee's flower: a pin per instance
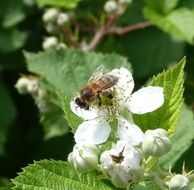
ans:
(146, 100)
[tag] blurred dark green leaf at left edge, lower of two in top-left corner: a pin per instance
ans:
(11, 39)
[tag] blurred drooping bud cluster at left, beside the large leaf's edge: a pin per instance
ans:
(30, 85)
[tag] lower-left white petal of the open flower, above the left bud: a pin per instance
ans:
(92, 132)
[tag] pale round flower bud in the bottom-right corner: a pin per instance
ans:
(178, 182)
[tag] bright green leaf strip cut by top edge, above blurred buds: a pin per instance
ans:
(68, 4)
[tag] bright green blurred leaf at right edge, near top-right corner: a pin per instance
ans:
(179, 23)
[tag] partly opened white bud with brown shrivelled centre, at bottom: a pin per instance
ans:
(122, 164)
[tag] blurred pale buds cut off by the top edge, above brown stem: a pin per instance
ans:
(117, 7)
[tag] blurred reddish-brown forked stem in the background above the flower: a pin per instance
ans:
(110, 28)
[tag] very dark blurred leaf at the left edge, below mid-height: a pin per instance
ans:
(7, 114)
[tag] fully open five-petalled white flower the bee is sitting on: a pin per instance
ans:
(143, 101)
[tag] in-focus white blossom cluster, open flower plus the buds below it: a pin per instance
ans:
(107, 123)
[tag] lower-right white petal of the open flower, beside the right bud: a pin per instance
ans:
(129, 132)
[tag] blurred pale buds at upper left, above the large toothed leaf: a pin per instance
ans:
(54, 20)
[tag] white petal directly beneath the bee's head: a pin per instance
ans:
(85, 114)
